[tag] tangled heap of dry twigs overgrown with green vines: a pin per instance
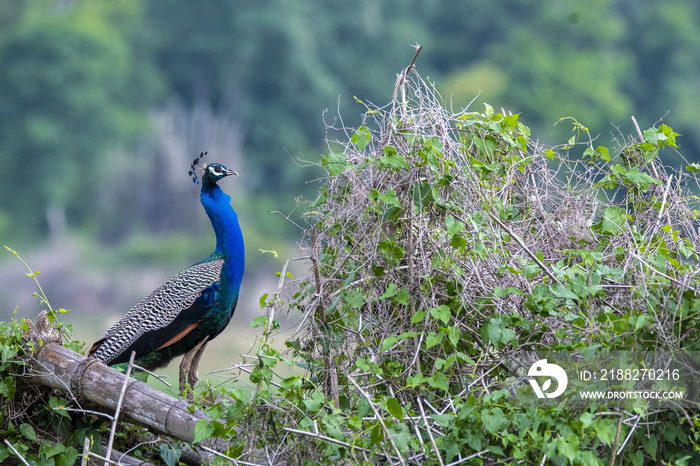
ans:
(443, 243)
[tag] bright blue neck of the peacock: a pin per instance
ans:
(229, 240)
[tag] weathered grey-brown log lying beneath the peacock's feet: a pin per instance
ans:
(89, 380)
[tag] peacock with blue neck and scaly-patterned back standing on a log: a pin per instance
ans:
(194, 306)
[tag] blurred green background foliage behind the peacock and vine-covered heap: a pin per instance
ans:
(104, 104)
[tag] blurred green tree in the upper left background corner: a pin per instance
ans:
(69, 91)
